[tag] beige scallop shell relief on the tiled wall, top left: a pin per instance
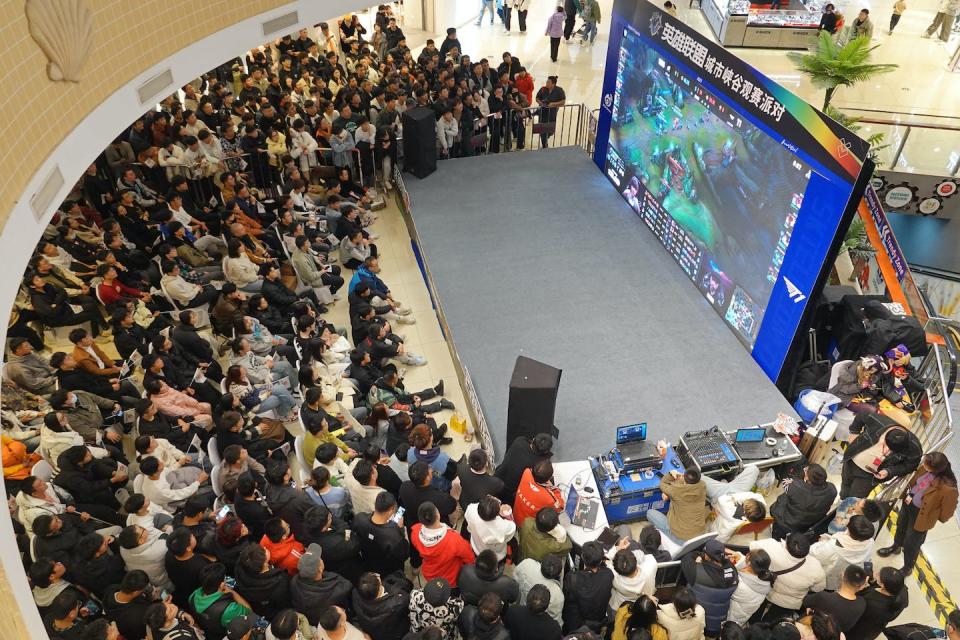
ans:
(64, 31)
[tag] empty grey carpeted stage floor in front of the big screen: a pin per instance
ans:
(537, 254)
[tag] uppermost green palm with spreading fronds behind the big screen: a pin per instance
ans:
(830, 65)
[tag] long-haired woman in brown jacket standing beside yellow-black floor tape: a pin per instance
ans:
(932, 498)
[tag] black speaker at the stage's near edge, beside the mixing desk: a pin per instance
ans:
(533, 399)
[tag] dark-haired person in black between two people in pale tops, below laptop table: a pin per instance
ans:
(586, 593)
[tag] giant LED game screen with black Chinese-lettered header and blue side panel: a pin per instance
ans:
(745, 185)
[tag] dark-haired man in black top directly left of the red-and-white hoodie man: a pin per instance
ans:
(383, 545)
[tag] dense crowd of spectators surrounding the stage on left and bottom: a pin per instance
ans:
(167, 506)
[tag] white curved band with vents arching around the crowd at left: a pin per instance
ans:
(80, 148)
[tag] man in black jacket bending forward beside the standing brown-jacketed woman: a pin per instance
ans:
(879, 449)
